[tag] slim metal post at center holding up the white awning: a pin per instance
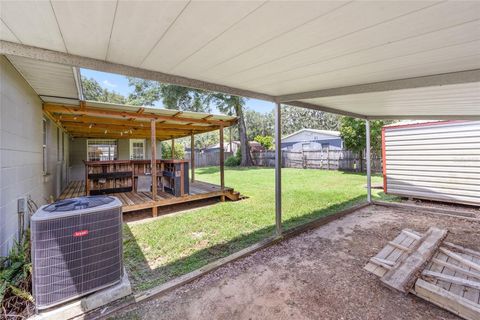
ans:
(278, 169)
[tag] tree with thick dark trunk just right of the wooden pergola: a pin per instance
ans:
(231, 104)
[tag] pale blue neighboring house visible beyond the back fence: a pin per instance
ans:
(312, 139)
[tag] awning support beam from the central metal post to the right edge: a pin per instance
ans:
(409, 83)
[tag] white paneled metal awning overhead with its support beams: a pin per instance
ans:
(334, 56)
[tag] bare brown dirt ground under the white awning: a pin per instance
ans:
(316, 275)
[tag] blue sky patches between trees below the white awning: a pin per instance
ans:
(119, 84)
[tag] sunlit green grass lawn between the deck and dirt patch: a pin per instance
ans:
(159, 250)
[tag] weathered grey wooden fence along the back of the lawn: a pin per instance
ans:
(318, 159)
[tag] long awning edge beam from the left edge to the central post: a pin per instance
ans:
(21, 50)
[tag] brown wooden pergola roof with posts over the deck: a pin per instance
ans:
(89, 119)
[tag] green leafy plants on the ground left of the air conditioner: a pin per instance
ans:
(16, 281)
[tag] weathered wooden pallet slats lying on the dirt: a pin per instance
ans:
(449, 278)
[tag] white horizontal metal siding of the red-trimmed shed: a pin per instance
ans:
(434, 161)
